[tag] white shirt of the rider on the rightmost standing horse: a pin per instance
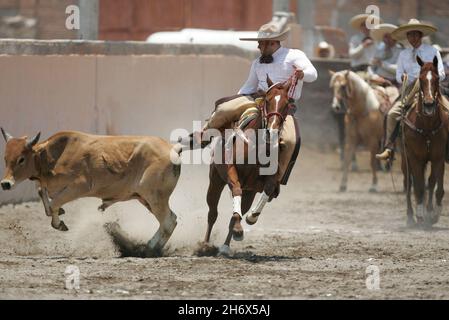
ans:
(407, 62)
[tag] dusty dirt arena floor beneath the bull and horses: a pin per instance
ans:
(312, 242)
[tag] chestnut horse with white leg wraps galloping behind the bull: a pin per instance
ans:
(245, 179)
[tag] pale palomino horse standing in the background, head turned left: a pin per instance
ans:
(363, 120)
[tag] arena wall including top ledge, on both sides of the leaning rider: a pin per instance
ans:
(131, 88)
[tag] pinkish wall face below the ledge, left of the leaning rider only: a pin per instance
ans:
(139, 95)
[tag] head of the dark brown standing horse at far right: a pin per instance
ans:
(429, 83)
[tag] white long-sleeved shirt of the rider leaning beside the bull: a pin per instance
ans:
(280, 70)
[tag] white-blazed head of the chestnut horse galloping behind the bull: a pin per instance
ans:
(276, 104)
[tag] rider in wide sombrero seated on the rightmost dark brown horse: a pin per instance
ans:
(414, 31)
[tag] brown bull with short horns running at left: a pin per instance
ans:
(72, 165)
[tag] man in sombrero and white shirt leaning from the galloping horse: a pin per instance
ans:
(280, 64)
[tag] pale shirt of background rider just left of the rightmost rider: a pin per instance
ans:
(388, 58)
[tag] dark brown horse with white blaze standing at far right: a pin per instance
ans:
(425, 133)
